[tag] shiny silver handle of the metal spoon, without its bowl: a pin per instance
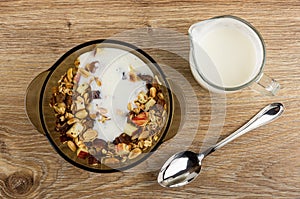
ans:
(265, 116)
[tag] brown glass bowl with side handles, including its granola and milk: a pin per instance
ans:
(104, 106)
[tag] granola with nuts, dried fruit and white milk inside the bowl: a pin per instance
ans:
(110, 108)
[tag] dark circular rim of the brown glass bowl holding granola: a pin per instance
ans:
(71, 51)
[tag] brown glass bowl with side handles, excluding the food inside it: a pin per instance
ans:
(42, 116)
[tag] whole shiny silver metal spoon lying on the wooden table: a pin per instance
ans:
(183, 167)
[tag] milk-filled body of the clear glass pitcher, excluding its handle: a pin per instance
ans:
(225, 53)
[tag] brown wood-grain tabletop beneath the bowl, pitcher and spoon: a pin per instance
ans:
(262, 164)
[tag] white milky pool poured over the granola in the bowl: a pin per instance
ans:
(116, 90)
